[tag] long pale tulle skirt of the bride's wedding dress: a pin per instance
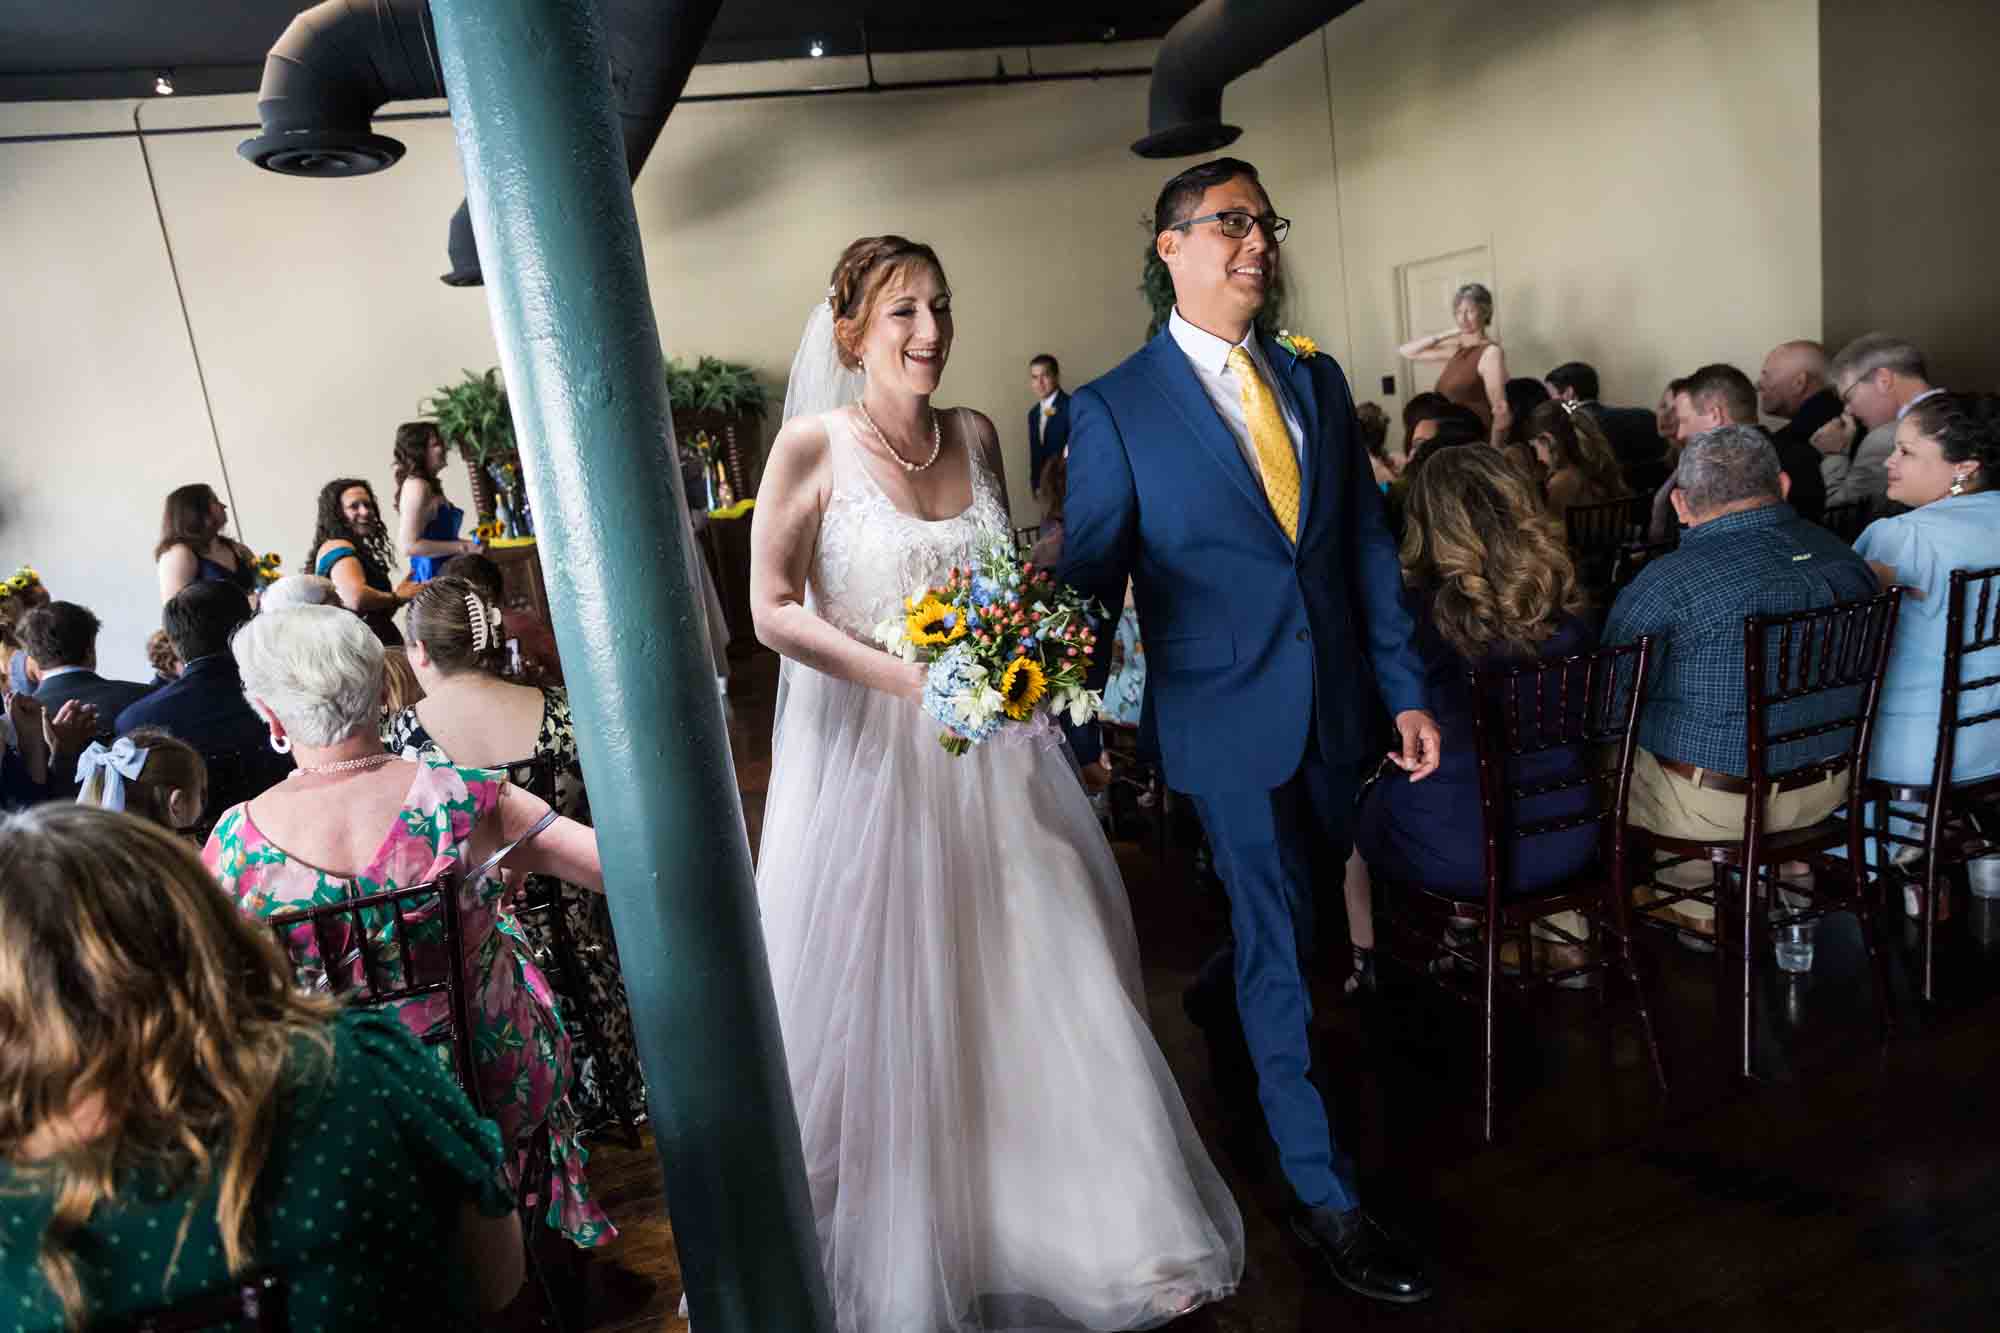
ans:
(993, 1138)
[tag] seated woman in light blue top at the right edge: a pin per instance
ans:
(1947, 469)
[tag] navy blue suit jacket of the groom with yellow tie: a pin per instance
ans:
(1251, 641)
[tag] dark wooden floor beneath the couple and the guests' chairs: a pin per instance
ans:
(1857, 1188)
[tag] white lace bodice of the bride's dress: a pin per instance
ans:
(873, 555)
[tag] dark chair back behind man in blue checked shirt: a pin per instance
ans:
(1831, 690)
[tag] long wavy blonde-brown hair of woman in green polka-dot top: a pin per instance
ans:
(145, 1024)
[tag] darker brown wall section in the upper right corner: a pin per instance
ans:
(1913, 179)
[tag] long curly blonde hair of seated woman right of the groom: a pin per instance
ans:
(1481, 541)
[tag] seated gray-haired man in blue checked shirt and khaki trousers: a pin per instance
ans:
(1747, 553)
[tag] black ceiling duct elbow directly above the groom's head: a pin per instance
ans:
(1213, 45)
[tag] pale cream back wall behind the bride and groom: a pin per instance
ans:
(1641, 171)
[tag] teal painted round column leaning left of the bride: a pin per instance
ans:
(567, 289)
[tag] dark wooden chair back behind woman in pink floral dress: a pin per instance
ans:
(385, 950)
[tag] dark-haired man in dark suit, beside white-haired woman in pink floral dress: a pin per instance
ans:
(207, 706)
